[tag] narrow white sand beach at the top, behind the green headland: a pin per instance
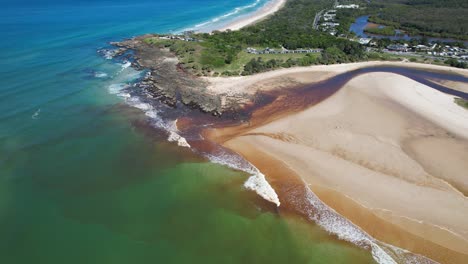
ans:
(262, 13)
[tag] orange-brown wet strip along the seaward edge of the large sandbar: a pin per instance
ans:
(291, 190)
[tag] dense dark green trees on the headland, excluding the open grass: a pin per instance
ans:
(291, 28)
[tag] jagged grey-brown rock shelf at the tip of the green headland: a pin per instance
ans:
(170, 83)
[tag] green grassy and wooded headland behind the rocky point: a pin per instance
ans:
(223, 53)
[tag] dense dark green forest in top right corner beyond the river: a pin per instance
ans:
(434, 18)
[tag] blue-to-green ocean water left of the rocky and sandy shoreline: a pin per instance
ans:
(84, 179)
